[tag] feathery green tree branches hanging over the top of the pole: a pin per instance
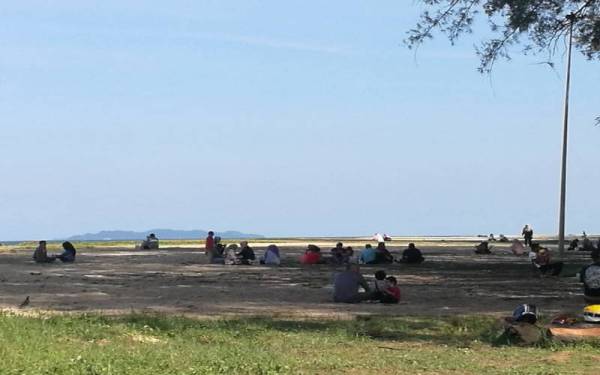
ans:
(536, 26)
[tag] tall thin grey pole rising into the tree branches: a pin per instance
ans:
(563, 171)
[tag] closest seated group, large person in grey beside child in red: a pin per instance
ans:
(348, 283)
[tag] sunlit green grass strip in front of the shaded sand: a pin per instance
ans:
(150, 344)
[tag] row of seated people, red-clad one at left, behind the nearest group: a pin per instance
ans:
(345, 255)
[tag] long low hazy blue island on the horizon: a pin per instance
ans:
(163, 234)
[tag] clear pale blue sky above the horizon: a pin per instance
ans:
(279, 118)
